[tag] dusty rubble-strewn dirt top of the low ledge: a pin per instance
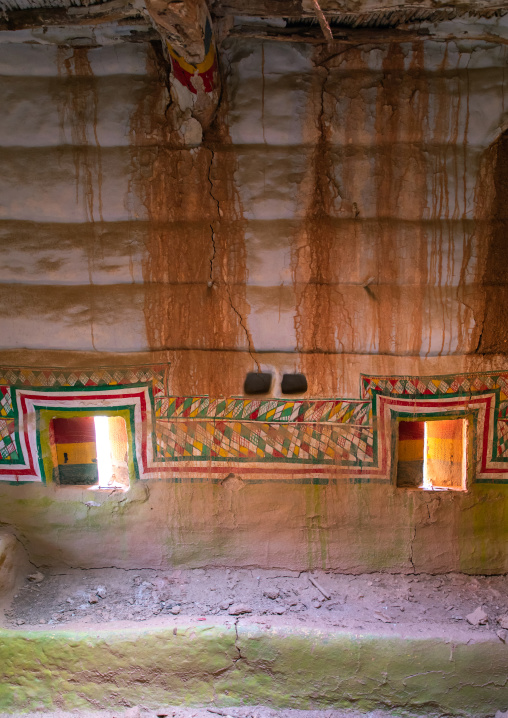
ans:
(415, 604)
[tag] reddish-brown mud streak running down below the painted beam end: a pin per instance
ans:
(195, 244)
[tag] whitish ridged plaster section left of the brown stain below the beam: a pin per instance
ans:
(71, 247)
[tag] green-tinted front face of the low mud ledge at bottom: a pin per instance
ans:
(283, 666)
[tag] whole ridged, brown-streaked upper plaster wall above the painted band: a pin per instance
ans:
(341, 191)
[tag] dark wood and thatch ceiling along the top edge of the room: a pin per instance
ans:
(278, 19)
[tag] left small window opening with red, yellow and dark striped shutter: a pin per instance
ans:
(90, 451)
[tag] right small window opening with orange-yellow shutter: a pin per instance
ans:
(432, 454)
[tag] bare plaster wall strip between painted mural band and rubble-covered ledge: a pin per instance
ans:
(296, 526)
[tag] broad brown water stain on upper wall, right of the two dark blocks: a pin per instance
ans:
(384, 282)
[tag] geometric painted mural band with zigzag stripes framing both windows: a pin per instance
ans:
(199, 438)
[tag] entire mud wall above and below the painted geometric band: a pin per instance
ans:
(341, 216)
